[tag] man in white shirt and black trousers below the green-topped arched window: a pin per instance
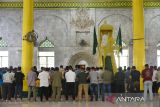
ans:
(44, 84)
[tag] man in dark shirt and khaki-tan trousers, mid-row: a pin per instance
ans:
(82, 79)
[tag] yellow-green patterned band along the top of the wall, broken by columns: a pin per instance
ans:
(79, 3)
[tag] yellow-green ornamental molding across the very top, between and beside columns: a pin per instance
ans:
(112, 4)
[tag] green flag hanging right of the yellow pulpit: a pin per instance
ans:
(119, 41)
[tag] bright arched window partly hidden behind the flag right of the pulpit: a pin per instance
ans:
(124, 57)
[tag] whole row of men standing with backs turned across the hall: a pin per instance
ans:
(91, 83)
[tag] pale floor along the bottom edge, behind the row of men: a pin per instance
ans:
(79, 104)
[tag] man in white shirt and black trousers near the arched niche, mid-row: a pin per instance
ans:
(70, 83)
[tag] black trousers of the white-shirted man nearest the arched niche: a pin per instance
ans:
(70, 90)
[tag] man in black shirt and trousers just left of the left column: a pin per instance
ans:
(19, 77)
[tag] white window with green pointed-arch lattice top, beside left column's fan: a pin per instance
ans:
(46, 55)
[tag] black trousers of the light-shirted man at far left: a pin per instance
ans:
(6, 89)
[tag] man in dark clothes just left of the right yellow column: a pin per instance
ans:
(135, 80)
